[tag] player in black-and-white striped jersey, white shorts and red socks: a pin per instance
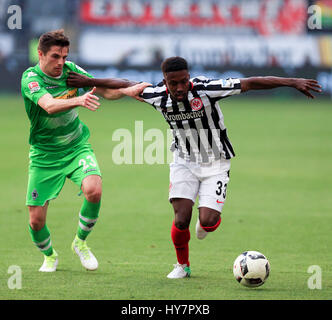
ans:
(202, 150)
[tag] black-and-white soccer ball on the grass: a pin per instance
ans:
(251, 268)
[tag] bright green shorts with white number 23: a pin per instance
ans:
(48, 172)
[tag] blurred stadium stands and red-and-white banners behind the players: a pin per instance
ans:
(219, 38)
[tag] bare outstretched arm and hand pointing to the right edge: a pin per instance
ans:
(302, 85)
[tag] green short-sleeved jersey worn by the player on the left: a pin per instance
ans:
(52, 134)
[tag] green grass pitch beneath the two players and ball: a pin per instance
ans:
(279, 202)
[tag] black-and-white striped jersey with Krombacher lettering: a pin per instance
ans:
(199, 133)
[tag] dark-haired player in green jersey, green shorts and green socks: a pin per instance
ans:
(59, 145)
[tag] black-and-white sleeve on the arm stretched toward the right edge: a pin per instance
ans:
(218, 88)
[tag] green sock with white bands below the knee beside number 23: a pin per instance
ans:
(88, 218)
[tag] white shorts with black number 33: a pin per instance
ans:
(207, 181)
